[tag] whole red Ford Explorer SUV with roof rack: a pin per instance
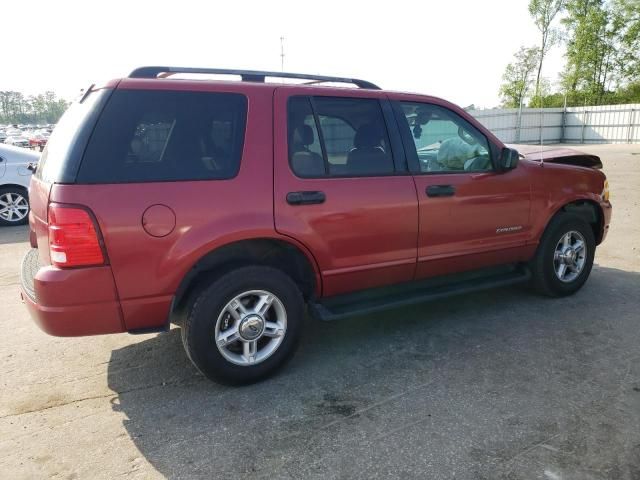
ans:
(226, 207)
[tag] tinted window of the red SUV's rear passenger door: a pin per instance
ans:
(341, 137)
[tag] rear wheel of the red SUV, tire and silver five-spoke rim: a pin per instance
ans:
(231, 302)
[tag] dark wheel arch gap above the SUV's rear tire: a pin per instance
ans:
(285, 255)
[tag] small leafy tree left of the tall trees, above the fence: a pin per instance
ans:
(518, 76)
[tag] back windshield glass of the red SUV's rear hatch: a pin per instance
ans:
(61, 156)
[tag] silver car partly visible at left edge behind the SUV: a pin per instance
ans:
(15, 175)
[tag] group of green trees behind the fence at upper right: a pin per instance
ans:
(602, 54)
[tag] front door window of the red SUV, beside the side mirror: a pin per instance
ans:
(444, 141)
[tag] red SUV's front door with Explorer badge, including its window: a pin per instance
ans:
(471, 214)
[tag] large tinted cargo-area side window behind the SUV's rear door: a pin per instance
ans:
(156, 136)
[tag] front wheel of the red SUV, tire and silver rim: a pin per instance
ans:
(560, 246)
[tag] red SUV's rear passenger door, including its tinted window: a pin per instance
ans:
(340, 187)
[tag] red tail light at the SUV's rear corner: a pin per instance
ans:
(73, 237)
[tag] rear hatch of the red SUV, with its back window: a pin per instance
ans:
(60, 160)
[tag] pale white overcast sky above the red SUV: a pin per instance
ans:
(452, 49)
